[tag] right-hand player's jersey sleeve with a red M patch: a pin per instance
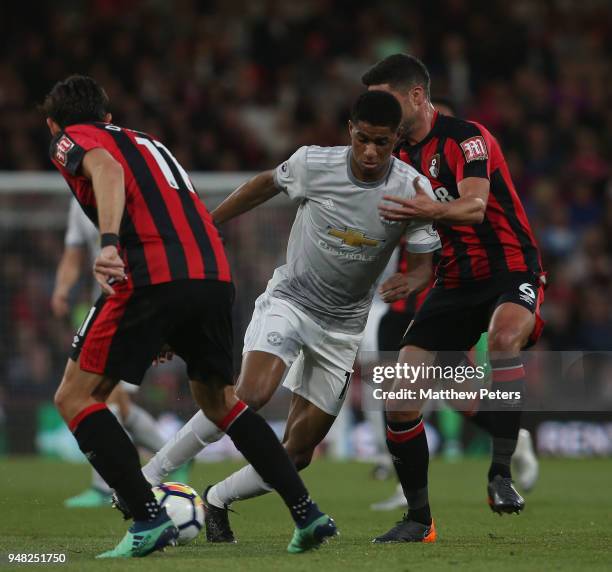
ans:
(468, 151)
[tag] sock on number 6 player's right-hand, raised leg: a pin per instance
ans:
(505, 412)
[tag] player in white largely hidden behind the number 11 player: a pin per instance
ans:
(81, 246)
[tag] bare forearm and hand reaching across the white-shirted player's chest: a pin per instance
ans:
(468, 209)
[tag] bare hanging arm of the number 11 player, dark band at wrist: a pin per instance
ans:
(107, 179)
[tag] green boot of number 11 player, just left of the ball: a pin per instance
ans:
(144, 537)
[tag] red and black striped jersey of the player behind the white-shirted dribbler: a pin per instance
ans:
(453, 150)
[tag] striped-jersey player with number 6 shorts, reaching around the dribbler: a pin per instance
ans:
(489, 278)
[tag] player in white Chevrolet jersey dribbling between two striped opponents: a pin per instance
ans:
(312, 315)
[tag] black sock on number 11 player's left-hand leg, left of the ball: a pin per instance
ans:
(111, 452)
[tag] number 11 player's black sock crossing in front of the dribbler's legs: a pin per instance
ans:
(255, 439)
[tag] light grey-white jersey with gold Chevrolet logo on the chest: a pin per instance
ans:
(339, 245)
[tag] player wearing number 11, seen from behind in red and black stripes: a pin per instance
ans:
(165, 280)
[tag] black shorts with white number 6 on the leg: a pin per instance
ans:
(453, 319)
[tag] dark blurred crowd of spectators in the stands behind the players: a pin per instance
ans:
(233, 86)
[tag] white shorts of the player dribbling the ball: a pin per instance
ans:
(320, 362)
